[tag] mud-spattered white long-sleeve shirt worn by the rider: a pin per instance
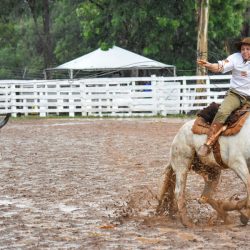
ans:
(240, 80)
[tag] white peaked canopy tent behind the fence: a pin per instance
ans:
(113, 59)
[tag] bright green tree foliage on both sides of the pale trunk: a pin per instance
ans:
(163, 30)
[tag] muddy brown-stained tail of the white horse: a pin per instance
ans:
(166, 197)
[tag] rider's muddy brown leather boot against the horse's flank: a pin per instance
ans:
(214, 132)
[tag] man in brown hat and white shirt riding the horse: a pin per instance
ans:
(237, 95)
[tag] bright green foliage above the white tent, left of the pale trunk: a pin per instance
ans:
(161, 30)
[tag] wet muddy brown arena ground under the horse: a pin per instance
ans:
(92, 184)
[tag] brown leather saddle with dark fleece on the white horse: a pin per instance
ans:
(234, 124)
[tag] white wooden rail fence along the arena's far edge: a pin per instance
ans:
(111, 96)
